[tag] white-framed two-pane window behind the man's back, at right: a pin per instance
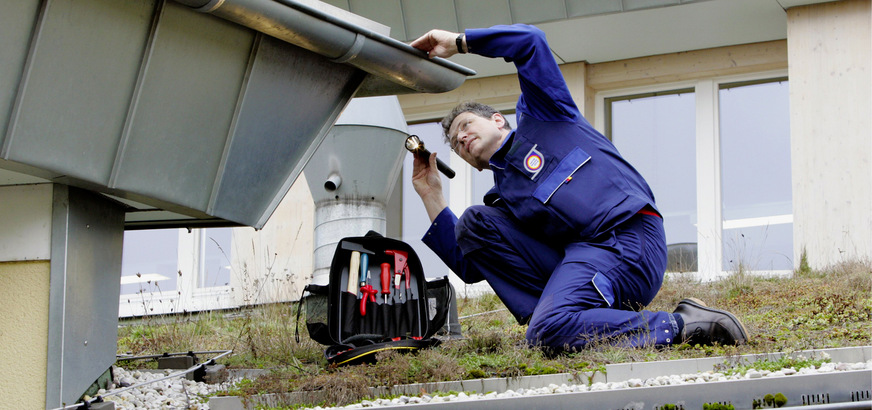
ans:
(716, 153)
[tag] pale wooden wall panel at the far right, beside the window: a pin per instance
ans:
(831, 143)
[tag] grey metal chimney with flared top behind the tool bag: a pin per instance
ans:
(352, 174)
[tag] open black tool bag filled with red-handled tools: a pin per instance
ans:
(377, 299)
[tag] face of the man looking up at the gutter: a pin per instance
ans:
(476, 138)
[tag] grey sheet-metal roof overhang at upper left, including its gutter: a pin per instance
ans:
(186, 118)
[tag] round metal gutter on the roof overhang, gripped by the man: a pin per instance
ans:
(396, 67)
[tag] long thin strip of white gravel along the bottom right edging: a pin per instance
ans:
(703, 377)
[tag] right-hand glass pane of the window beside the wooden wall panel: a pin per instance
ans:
(756, 195)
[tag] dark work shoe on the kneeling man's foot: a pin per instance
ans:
(706, 326)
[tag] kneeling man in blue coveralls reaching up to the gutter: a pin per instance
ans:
(570, 238)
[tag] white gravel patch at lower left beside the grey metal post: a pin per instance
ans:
(172, 393)
